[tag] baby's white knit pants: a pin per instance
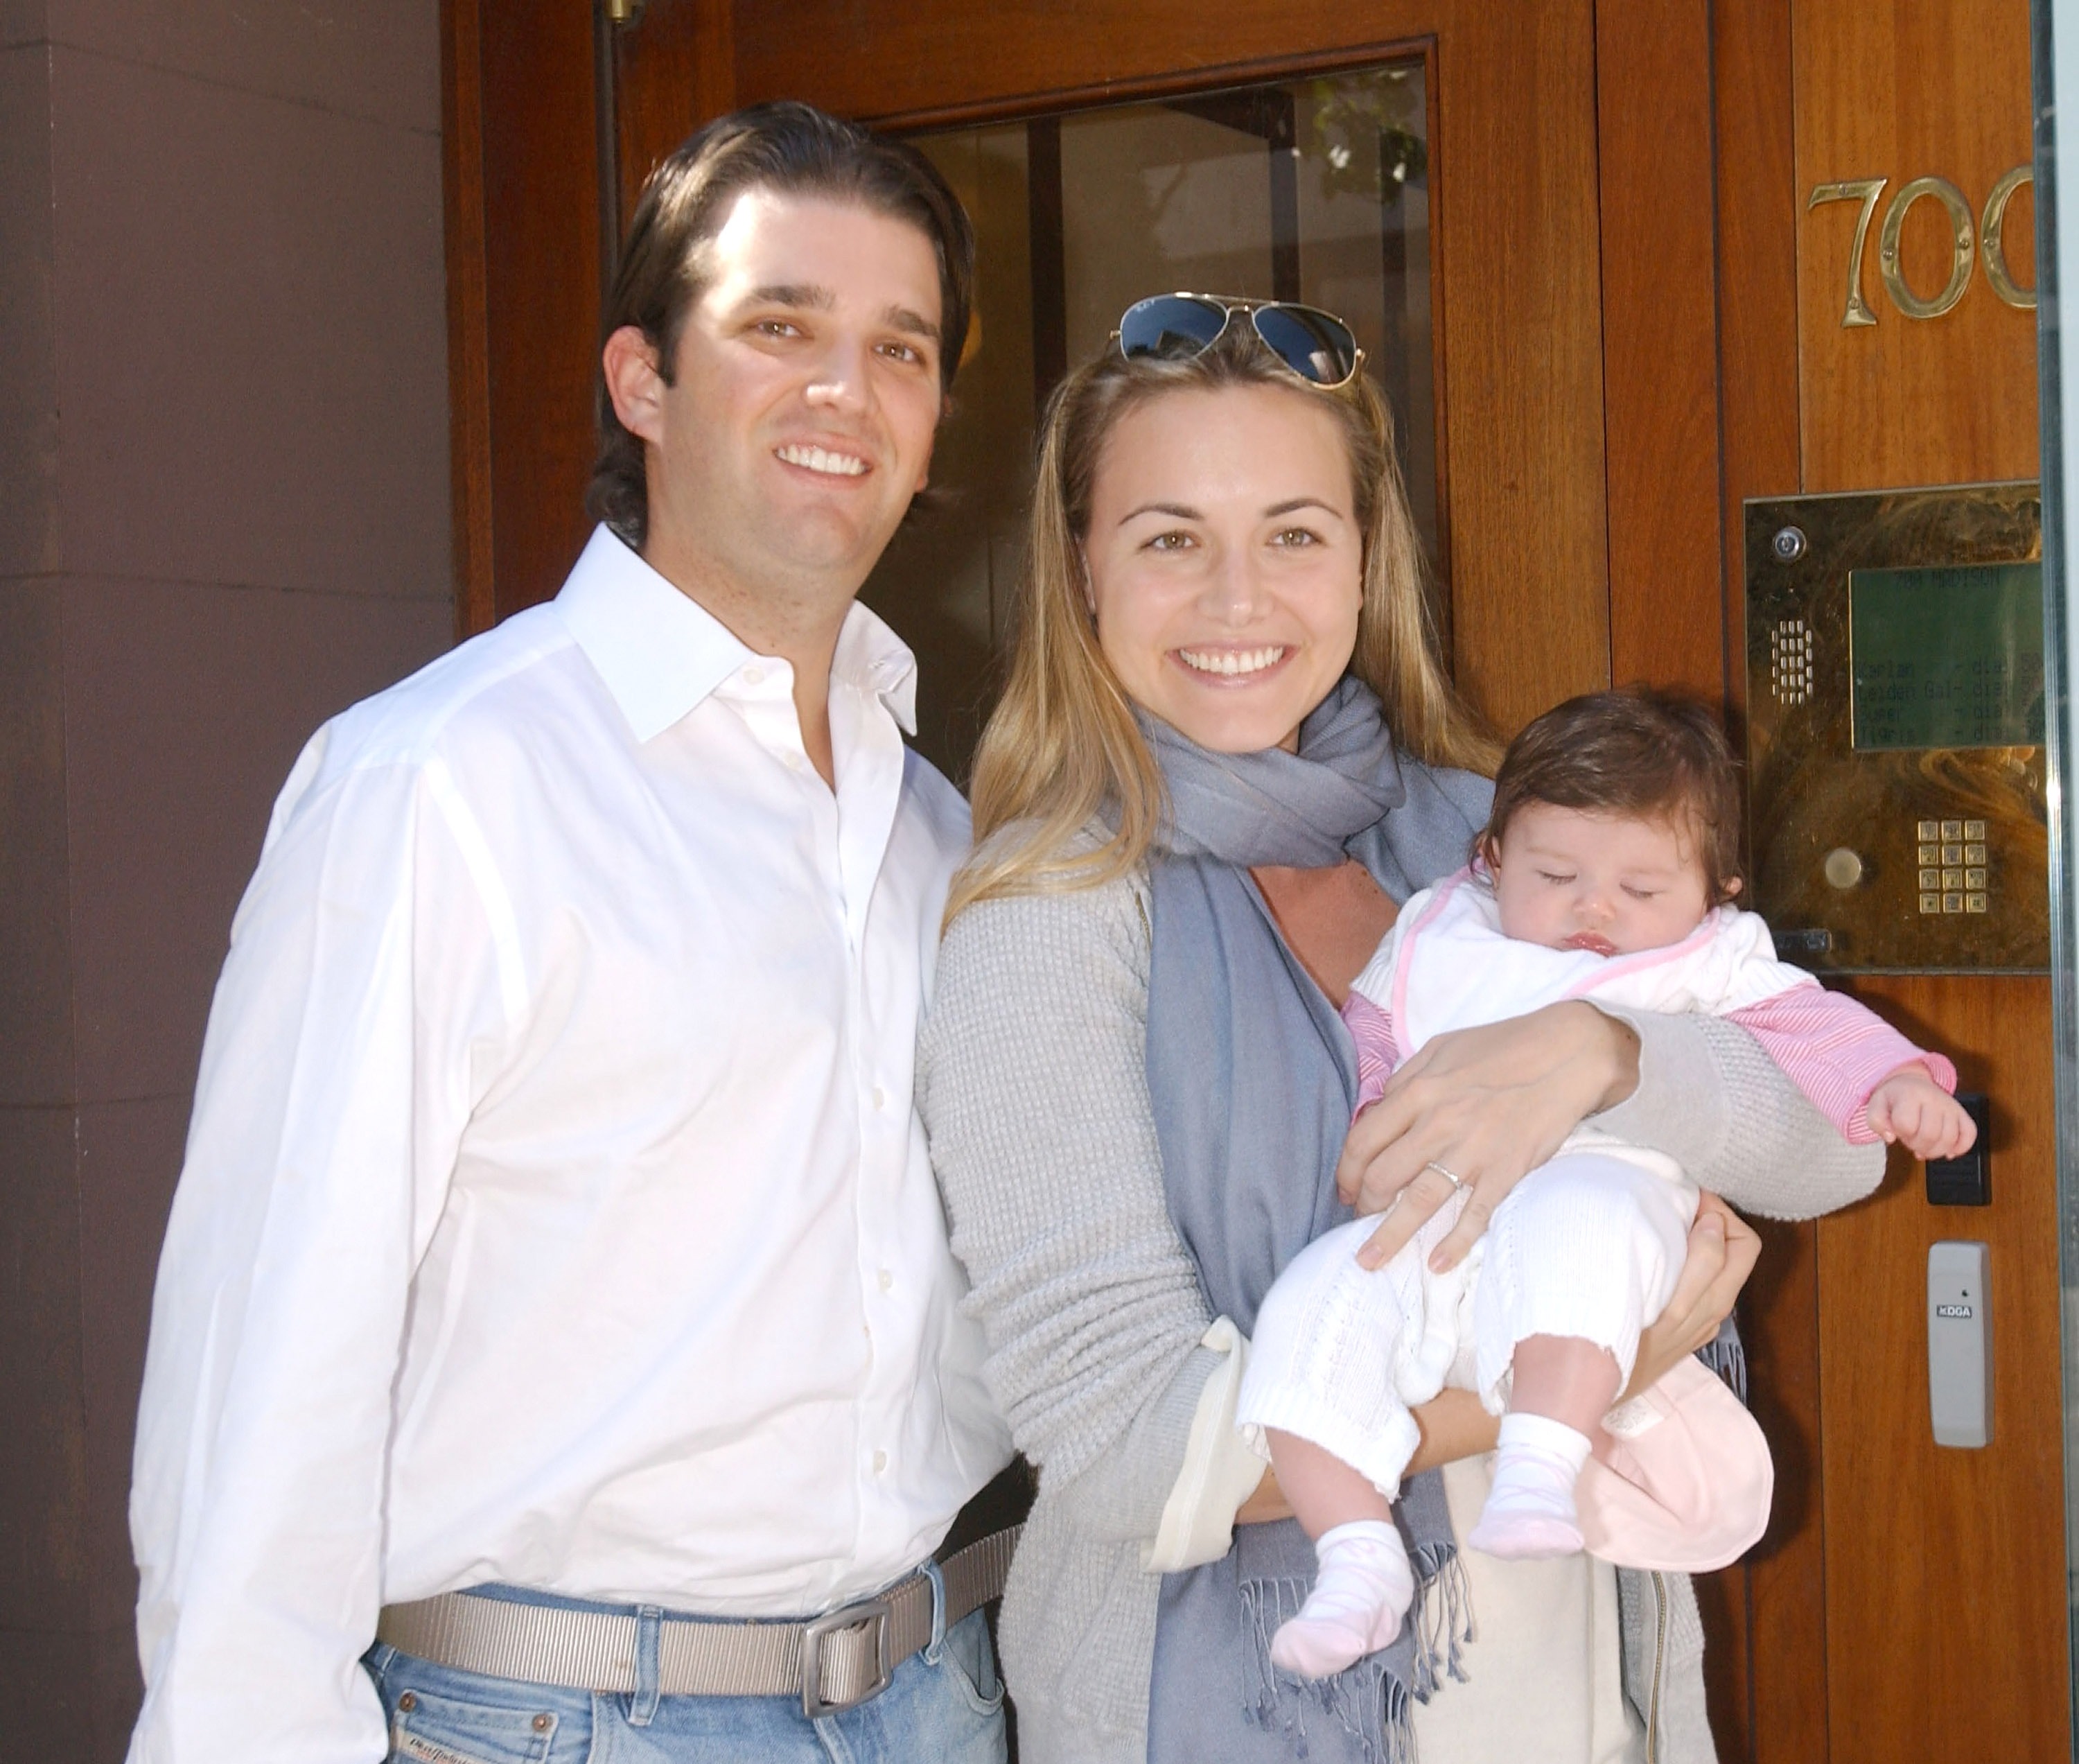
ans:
(1587, 1245)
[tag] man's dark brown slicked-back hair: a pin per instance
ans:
(789, 149)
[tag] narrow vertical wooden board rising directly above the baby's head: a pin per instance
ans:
(1660, 342)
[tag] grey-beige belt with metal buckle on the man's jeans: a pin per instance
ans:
(831, 1663)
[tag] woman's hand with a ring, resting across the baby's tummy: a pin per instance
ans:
(1488, 1106)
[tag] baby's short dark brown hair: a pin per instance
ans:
(1635, 752)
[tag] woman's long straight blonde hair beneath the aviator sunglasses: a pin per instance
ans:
(1063, 744)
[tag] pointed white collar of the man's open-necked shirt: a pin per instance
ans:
(662, 652)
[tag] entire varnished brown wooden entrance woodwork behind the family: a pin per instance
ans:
(1635, 323)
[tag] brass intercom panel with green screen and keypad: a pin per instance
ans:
(1895, 729)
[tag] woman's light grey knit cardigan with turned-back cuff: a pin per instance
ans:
(1034, 1095)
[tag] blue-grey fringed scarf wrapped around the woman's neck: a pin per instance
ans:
(1253, 1081)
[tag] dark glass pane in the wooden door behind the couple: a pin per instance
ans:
(1311, 190)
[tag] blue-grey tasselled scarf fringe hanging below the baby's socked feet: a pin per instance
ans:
(1367, 1703)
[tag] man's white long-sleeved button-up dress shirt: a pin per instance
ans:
(554, 1205)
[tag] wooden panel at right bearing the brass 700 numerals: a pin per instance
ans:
(1910, 1601)
